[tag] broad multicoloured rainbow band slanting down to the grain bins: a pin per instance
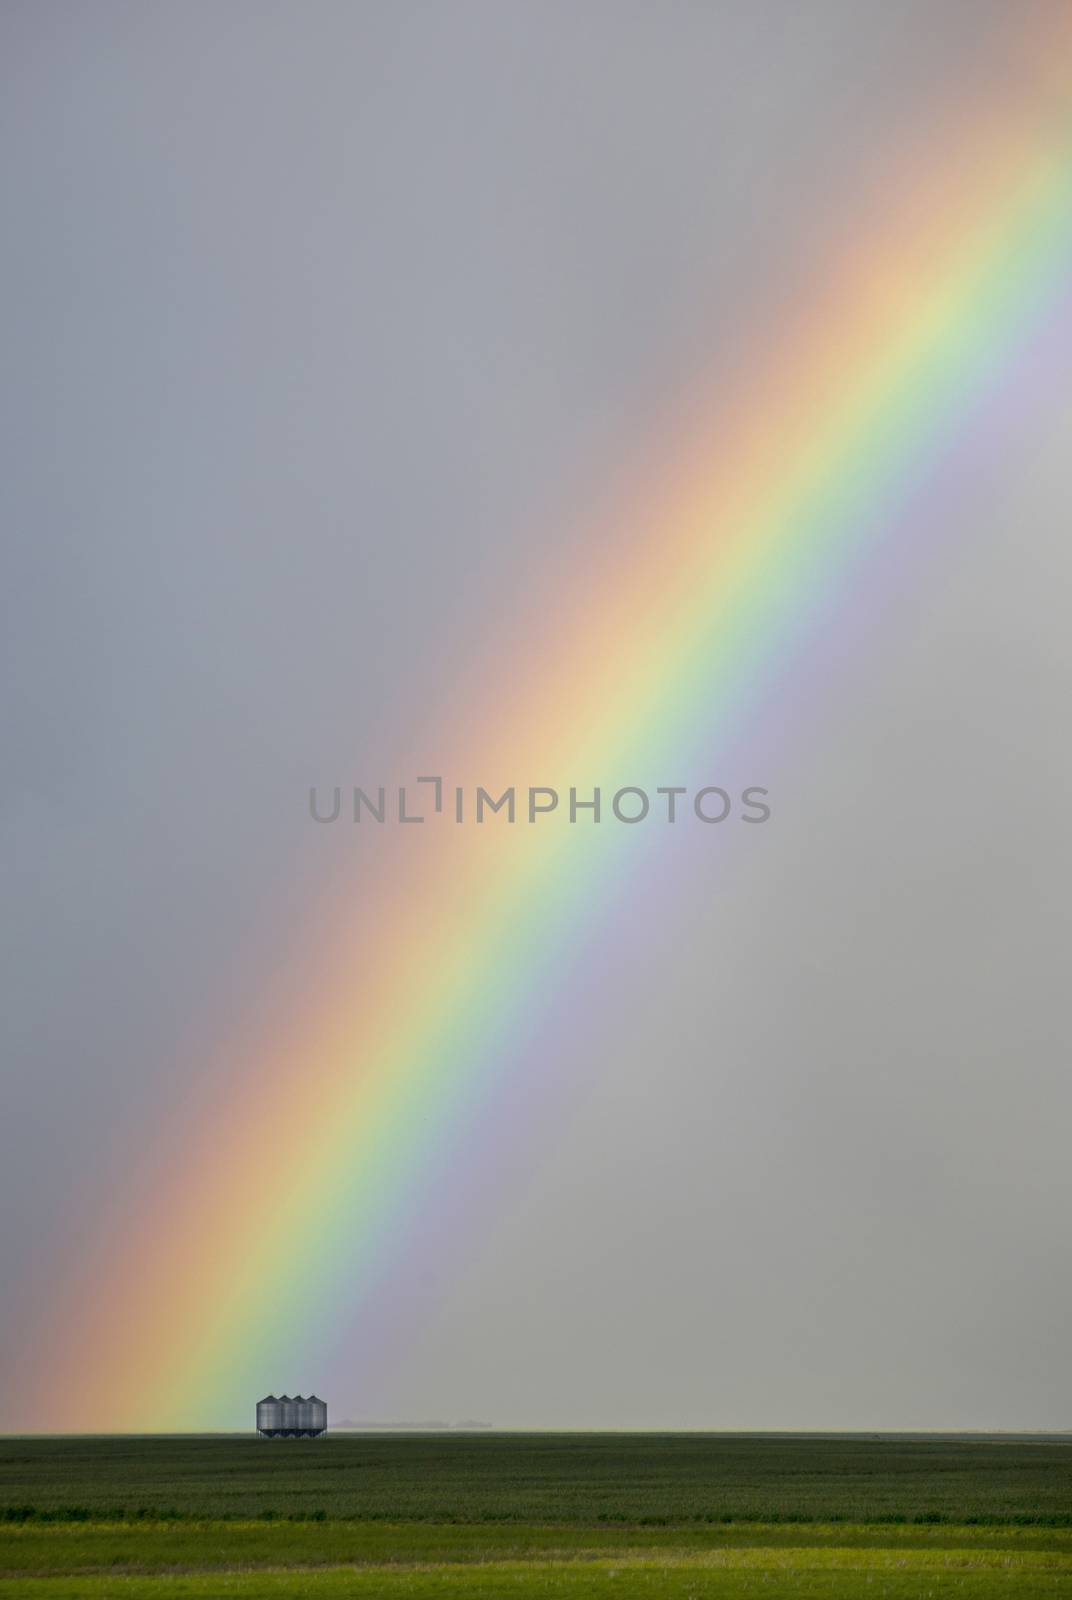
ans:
(759, 511)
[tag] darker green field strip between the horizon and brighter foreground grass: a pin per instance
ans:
(545, 1478)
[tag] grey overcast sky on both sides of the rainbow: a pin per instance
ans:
(326, 324)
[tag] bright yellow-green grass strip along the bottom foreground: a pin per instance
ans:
(142, 1561)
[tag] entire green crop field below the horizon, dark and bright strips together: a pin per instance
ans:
(572, 1514)
